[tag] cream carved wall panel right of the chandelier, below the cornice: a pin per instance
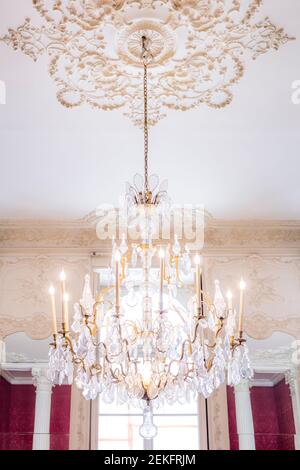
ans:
(273, 290)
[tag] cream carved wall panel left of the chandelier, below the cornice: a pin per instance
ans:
(24, 284)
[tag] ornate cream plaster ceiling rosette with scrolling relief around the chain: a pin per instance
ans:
(199, 49)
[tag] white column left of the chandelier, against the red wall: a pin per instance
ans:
(41, 437)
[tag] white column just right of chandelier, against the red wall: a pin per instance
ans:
(244, 418)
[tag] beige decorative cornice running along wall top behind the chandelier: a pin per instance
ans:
(255, 236)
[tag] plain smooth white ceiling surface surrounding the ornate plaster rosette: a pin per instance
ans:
(240, 162)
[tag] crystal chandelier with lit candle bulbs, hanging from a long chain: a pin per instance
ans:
(154, 337)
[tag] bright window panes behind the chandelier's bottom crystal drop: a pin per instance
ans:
(118, 428)
